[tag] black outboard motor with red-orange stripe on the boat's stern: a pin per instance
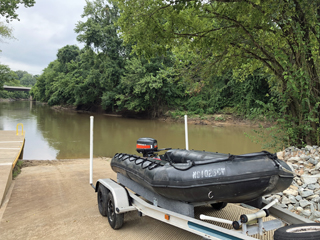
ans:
(148, 147)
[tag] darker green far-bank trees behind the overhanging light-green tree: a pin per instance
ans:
(103, 73)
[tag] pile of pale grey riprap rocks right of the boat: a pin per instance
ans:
(303, 196)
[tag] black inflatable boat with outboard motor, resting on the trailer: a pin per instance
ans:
(199, 176)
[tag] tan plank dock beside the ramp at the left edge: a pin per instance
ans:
(11, 149)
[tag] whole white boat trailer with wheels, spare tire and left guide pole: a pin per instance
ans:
(124, 195)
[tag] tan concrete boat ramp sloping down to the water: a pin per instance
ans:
(53, 200)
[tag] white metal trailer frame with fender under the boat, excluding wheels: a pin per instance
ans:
(130, 196)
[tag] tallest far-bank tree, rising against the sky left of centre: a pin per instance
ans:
(99, 33)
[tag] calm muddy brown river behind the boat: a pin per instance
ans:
(52, 134)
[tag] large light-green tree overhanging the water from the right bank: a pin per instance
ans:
(283, 37)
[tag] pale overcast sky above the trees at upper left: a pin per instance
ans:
(41, 31)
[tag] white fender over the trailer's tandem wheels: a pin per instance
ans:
(120, 195)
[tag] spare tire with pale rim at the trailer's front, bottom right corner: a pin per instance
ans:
(303, 231)
